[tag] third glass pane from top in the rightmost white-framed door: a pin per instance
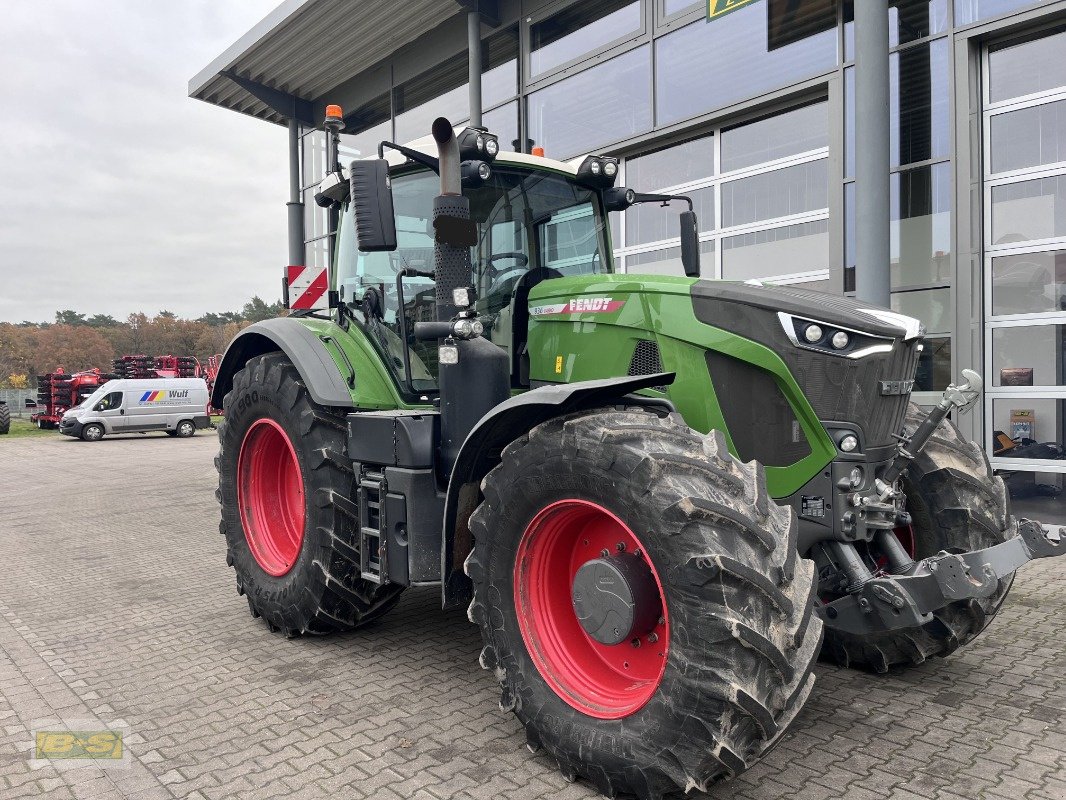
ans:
(1030, 210)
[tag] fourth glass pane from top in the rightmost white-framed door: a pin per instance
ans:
(1032, 283)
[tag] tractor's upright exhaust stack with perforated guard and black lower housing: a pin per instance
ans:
(477, 375)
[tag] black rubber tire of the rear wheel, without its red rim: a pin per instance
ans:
(324, 591)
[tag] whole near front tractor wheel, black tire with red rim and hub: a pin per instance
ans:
(641, 601)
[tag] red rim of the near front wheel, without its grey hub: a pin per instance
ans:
(607, 682)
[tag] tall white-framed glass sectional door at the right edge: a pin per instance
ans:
(1025, 259)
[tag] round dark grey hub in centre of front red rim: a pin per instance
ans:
(617, 599)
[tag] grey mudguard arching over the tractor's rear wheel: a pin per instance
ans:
(304, 348)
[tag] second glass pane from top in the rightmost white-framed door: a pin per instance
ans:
(1029, 137)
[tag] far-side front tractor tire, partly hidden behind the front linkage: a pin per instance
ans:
(957, 505)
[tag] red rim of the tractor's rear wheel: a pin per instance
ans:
(270, 493)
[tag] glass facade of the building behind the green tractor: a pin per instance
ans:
(756, 125)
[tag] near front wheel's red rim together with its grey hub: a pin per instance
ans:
(595, 625)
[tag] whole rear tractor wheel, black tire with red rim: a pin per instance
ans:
(285, 484)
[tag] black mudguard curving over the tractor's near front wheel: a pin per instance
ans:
(505, 424)
